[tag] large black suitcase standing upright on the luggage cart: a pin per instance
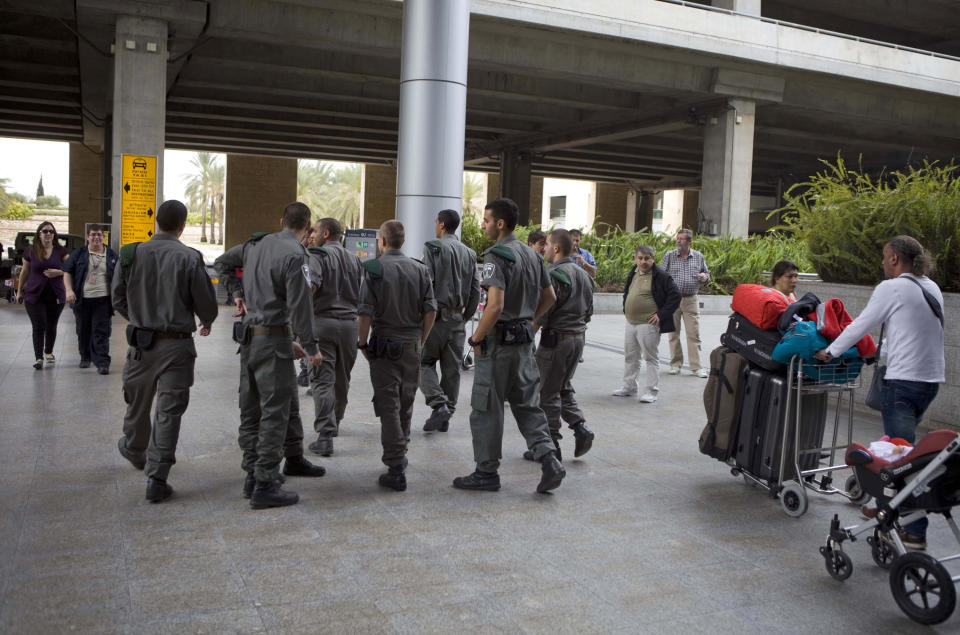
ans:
(813, 419)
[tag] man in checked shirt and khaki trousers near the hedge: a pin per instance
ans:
(688, 270)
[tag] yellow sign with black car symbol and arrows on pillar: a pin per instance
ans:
(138, 198)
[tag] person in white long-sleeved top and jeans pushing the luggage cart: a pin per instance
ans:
(913, 345)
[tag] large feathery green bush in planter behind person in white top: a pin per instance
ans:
(846, 216)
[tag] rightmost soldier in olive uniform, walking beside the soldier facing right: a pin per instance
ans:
(561, 342)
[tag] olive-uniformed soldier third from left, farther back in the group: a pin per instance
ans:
(336, 275)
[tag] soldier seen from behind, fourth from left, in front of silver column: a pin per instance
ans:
(397, 300)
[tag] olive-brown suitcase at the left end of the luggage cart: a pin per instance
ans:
(721, 400)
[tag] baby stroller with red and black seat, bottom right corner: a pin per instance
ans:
(925, 481)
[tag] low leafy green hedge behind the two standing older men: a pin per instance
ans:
(731, 261)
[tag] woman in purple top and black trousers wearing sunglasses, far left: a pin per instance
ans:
(41, 285)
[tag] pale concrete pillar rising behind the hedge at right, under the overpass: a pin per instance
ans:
(728, 169)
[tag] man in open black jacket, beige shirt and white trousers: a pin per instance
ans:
(650, 298)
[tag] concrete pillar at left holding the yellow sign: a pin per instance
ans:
(139, 102)
